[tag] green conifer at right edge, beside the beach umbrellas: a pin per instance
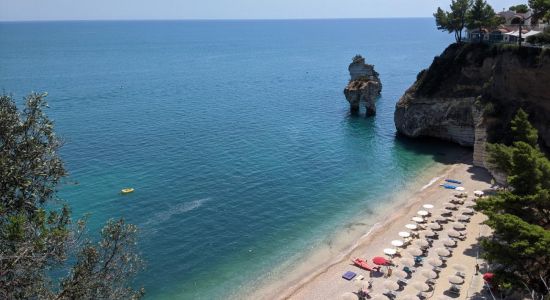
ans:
(520, 217)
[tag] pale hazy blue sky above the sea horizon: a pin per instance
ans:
(221, 9)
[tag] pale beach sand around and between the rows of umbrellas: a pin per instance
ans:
(326, 282)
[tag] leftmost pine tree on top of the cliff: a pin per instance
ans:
(453, 21)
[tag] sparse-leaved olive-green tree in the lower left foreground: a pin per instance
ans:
(37, 234)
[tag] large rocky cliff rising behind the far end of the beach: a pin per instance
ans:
(470, 92)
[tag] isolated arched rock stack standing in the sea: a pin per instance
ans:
(364, 86)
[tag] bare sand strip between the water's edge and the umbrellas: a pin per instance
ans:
(303, 282)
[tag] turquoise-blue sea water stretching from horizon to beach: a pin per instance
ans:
(235, 134)
